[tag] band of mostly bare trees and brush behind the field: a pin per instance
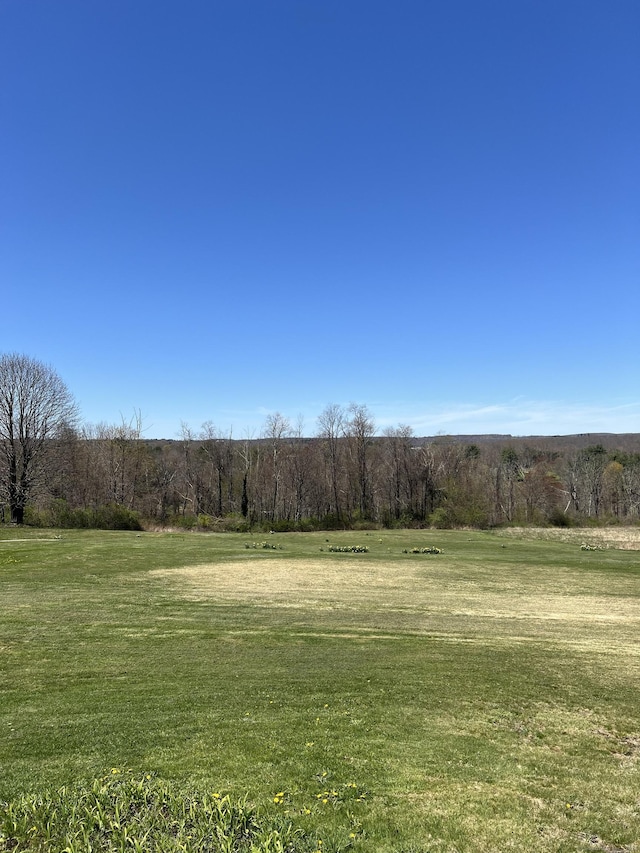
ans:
(56, 471)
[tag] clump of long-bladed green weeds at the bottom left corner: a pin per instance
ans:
(122, 812)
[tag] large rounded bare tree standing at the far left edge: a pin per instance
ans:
(35, 406)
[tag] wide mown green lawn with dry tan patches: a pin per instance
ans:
(483, 699)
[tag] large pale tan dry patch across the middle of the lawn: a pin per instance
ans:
(437, 599)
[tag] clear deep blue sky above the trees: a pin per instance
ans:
(213, 211)
